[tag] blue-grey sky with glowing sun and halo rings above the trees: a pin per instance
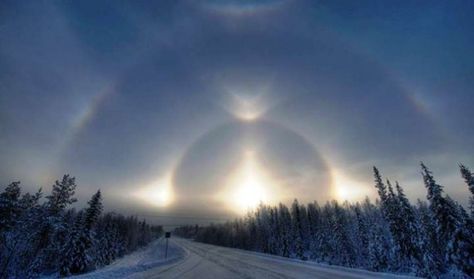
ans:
(206, 108)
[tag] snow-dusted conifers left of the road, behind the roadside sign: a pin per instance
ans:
(48, 237)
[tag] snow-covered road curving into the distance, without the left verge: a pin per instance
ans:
(209, 261)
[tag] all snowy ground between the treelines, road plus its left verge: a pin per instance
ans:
(188, 259)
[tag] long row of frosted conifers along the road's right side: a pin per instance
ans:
(429, 239)
